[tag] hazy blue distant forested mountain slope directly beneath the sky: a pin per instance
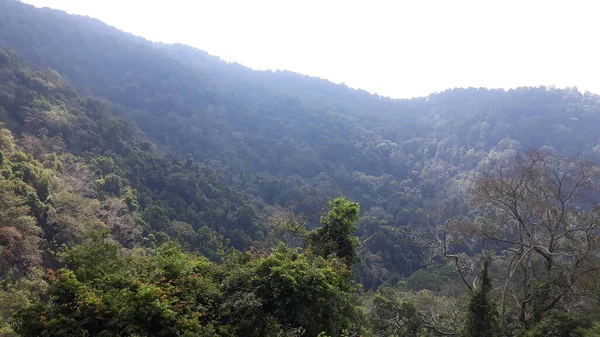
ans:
(294, 141)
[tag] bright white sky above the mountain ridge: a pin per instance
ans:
(393, 48)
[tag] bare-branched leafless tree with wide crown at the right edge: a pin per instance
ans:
(539, 210)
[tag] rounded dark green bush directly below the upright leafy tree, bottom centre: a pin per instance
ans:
(292, 289)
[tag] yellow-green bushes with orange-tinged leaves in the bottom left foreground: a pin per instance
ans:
(165, 295)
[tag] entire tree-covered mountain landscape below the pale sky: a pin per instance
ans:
(152, 189)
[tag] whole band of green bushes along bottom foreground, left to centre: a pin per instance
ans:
(173, 293)
